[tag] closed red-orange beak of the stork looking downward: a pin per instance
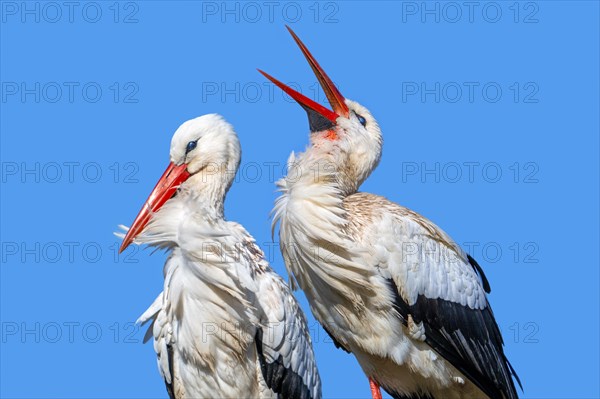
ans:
(163, 191)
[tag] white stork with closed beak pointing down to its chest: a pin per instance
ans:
(225, 324)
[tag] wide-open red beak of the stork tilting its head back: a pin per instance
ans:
(320, 118)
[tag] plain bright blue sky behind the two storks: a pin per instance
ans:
(490, 117)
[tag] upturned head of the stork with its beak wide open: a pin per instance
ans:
(347, 135)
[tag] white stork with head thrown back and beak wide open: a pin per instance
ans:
(387, 284)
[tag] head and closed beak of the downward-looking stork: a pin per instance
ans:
(205, 154)
